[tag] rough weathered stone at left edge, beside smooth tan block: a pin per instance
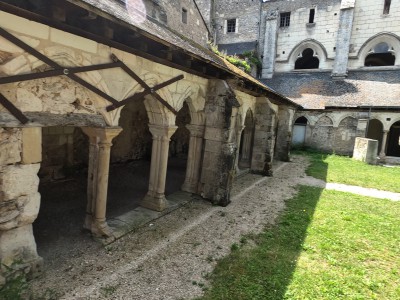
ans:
(10, 146)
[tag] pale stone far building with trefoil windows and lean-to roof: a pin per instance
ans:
(328, 56)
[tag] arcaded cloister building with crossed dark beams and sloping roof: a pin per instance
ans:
(77, 78)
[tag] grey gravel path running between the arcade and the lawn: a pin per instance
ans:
(164, 258)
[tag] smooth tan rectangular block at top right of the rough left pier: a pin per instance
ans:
(31, 145)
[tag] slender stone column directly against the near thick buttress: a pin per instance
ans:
(194, 158)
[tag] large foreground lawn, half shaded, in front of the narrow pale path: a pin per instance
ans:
(326, 245)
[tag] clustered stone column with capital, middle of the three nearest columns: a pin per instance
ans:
(155, 198)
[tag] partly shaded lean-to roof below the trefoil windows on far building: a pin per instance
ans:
(317, 90)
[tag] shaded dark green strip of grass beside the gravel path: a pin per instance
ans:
(265, 271)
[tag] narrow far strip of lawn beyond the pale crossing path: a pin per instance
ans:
(342, 169)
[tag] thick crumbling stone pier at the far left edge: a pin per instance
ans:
(20, 157)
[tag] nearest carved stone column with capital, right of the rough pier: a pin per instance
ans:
(99, 165)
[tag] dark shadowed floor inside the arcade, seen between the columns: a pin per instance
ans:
(63, 203)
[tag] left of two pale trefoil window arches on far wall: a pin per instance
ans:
(318, 49)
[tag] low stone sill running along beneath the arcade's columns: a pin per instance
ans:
(140, 216)
